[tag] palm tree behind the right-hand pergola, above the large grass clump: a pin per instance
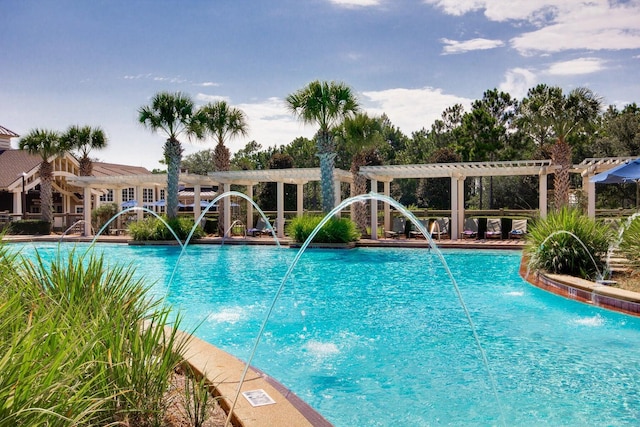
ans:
(547, 113)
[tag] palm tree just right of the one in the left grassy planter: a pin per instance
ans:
(223, 122)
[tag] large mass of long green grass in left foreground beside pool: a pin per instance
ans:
(81, 343)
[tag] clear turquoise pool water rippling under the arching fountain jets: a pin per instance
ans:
(377, 337)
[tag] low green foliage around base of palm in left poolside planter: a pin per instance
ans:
(152, 228)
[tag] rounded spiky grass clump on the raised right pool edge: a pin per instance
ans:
(554, 244)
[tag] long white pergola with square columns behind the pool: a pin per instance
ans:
(457, 172)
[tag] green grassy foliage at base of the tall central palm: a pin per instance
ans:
(336, 230)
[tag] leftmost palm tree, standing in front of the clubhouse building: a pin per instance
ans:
(46, 144)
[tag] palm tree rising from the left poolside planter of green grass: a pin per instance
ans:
(173, 114)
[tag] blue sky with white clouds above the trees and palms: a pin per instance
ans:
(96, 62)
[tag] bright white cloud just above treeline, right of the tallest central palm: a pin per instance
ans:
(412, 109)
